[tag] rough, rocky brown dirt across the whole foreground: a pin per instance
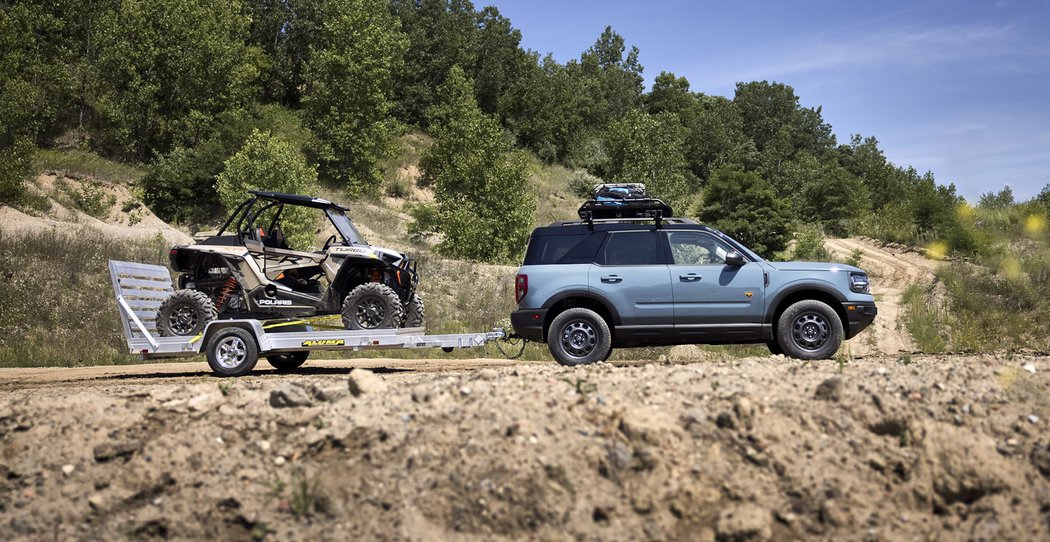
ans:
(760, 449)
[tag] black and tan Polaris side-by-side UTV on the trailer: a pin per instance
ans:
(248, 270)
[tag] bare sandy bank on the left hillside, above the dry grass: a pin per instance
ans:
(115, 211)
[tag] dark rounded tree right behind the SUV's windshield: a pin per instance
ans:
(745, 206)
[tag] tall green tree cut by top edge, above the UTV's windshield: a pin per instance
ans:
(348, 100)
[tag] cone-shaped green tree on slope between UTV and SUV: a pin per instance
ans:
(484, 207)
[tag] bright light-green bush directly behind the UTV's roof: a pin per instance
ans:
(267, 163)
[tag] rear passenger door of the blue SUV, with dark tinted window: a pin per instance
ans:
(632, 272)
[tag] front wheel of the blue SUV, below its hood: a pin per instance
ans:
(810, 330)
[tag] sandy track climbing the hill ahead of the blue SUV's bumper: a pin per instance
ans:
(893, 269)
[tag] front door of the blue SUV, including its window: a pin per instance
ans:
(713, 301)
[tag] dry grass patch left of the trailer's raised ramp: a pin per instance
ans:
(58, 306)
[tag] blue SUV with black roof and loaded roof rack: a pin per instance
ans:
(626, 277)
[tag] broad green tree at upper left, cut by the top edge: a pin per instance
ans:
(166, 69)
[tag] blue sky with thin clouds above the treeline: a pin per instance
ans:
(958, 89)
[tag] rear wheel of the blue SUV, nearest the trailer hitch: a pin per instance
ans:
(579, 337)
